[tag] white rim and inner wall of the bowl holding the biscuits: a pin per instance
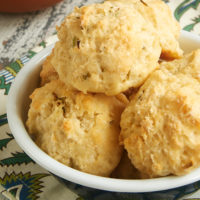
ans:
(17, 106)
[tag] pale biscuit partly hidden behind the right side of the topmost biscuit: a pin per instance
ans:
(160, 16)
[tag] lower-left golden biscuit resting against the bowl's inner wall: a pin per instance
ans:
(79, 130)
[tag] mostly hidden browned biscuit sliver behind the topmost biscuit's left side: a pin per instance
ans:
(48, 72)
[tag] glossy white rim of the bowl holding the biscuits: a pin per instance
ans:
(108, 184)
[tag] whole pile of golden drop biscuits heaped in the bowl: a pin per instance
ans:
(117, 97)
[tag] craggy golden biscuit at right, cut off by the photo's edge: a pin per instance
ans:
(161, 124)
